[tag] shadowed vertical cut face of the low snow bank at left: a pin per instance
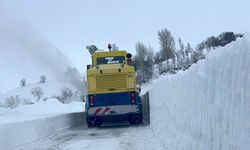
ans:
(18, 133)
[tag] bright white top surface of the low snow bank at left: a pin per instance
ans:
(41, 109)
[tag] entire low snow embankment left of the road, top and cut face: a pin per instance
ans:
(28, 123)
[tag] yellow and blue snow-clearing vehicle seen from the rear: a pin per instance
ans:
(112, 94)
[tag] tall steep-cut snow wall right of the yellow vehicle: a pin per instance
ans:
(206, 107)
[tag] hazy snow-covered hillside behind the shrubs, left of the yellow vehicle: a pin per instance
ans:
(25, 54)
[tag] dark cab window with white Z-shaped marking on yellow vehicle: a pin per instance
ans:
(110, 60)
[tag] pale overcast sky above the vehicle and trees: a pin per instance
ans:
(72, 24)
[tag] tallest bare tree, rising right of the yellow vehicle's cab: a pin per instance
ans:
(167, 44)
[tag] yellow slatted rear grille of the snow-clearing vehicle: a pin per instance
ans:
(110, 82)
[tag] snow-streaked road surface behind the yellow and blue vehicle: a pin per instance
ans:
(81, 138)
